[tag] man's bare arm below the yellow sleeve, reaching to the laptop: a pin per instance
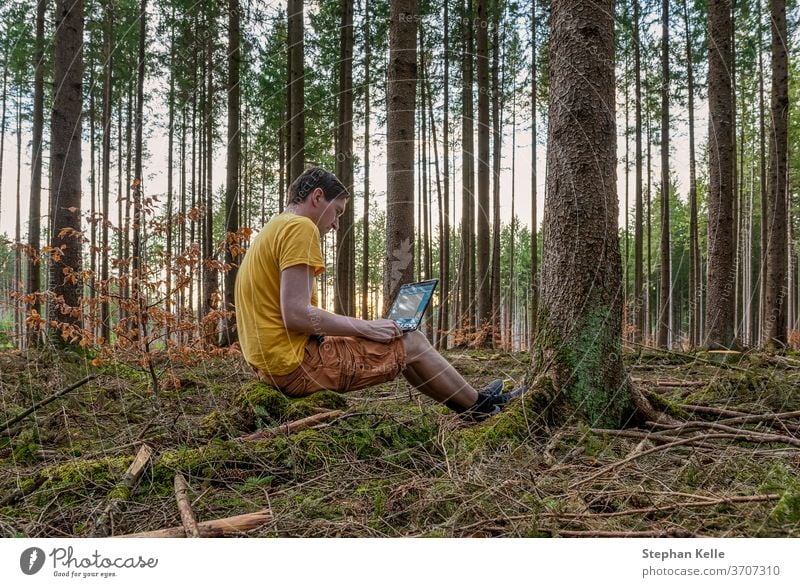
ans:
(299, 315)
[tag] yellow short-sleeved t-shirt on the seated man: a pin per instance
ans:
(285, 241)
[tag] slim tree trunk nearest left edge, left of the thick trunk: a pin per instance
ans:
(35, 211)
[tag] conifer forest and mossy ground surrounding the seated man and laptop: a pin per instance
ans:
(144, 143)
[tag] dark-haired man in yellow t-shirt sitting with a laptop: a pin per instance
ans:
(300, 348)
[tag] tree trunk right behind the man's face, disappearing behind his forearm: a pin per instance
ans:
(345, 299)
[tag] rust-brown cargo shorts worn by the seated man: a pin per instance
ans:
(341, 363)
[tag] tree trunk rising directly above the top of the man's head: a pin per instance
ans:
(297, 136)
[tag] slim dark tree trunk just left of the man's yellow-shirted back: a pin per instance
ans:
(232, 245)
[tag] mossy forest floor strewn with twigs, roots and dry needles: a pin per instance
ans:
(394, 464)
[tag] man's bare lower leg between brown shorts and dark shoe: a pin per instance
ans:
(433, 375)
